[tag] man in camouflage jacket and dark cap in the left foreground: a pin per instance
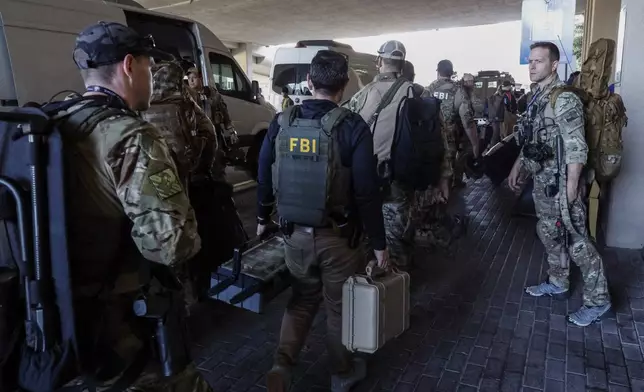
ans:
(130, 210)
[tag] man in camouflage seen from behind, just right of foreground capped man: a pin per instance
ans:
(191, 136)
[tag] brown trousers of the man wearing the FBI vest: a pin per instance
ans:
(320, 261)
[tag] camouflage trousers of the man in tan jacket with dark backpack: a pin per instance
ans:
(399, 231)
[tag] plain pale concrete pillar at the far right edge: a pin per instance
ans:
(625, 216)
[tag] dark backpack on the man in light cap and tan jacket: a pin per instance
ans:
(418, 148)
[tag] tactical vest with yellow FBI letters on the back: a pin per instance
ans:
(310, 183)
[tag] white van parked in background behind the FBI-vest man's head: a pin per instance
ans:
(291, 65)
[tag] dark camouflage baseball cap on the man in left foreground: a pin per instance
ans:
(108, 43)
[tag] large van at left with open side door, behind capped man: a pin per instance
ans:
(37, 39)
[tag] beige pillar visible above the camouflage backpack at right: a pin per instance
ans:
(601, 20)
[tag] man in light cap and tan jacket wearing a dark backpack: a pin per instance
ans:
(396, 206)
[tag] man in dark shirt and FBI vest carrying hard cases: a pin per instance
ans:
(317, 164)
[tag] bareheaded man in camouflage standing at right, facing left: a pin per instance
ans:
(555, 157)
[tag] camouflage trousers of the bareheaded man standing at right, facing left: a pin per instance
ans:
(580, 248)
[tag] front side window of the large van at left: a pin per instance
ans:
(229, 78)
